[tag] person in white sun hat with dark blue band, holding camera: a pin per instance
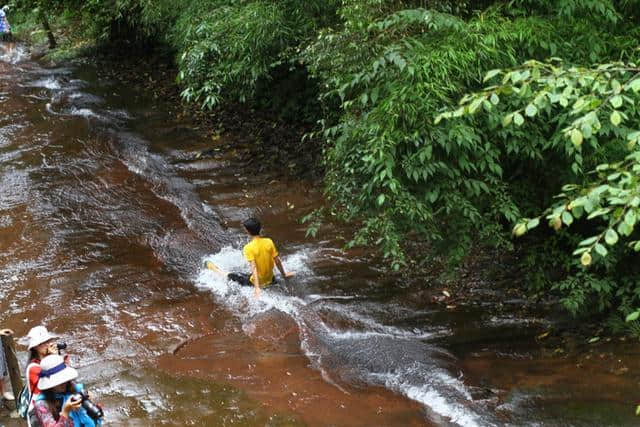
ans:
(53, 406)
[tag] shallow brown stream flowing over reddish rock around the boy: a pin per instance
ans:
(106, 215)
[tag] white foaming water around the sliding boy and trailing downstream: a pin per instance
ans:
(365, 351)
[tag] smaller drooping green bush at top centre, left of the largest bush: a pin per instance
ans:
(233, 46)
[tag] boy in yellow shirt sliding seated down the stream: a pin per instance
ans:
(261, 254)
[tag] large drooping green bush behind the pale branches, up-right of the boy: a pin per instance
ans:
(388, 165)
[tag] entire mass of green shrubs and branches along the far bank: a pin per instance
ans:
(451, 124)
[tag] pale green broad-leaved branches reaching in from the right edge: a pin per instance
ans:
(592, 121)
